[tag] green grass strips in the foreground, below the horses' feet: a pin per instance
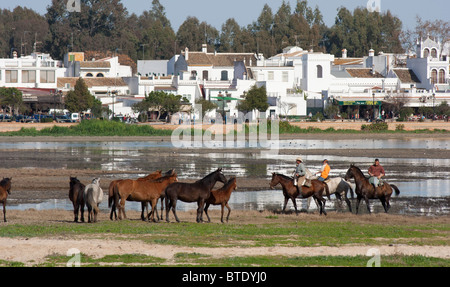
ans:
(274, 233)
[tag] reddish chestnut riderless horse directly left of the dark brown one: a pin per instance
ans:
(141, 190)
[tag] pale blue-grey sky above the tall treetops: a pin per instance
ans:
(216, 12)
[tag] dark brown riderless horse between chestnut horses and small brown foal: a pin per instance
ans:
(198, 191)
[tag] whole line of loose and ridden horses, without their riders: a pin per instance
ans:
(155, 186)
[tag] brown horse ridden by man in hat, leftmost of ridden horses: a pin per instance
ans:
(290, 191)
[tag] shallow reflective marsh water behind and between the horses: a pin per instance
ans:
(429, 180)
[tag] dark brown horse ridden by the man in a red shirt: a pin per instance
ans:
(366, 190)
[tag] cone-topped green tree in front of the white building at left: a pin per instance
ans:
(79, 99)
